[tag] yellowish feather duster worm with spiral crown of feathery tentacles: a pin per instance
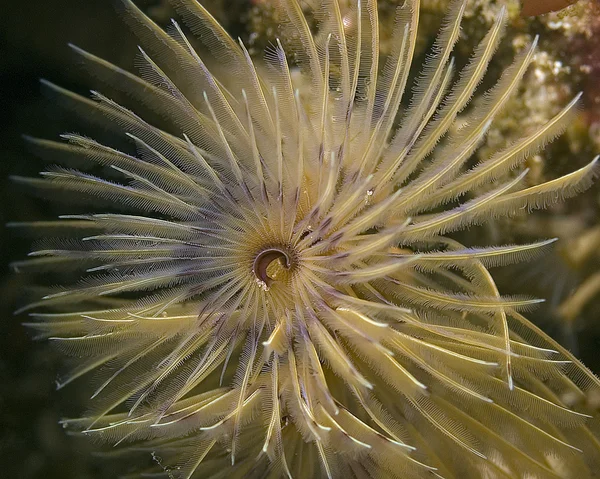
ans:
(280, 296)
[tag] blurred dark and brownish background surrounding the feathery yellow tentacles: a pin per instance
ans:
(33, 44)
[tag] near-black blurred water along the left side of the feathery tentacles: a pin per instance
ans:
(33, 45)
